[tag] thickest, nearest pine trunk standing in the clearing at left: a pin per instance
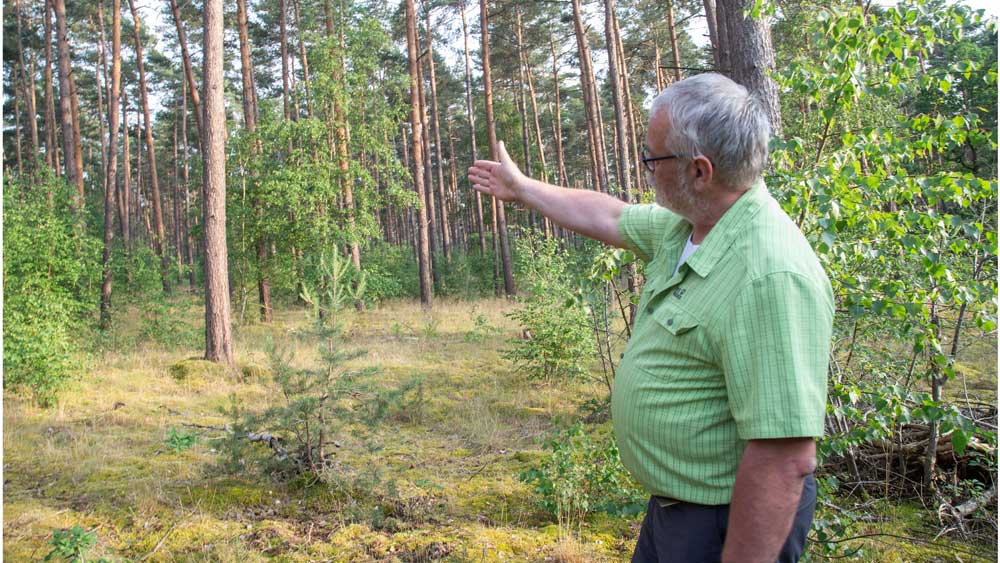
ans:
(218, 332)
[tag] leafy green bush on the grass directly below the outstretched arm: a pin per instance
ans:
(556, 341)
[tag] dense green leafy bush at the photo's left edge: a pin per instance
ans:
(49, 285)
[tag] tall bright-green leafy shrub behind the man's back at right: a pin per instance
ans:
(895, 186)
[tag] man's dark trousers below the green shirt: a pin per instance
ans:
(694, 533)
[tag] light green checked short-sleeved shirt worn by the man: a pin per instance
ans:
(733, 347)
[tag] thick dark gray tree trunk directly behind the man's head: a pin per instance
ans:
(746, 43)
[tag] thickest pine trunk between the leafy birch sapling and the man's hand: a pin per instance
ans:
(423, 246)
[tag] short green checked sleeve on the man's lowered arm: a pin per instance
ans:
(775, 353)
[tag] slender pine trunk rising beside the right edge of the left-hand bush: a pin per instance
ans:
(112, 170)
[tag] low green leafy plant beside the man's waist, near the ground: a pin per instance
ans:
(583, 474)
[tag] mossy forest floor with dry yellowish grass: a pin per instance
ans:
(442, 486)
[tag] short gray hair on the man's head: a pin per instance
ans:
(713, 116)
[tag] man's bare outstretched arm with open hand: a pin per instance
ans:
(591, 214)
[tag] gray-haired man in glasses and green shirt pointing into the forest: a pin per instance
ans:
(722, 387)
